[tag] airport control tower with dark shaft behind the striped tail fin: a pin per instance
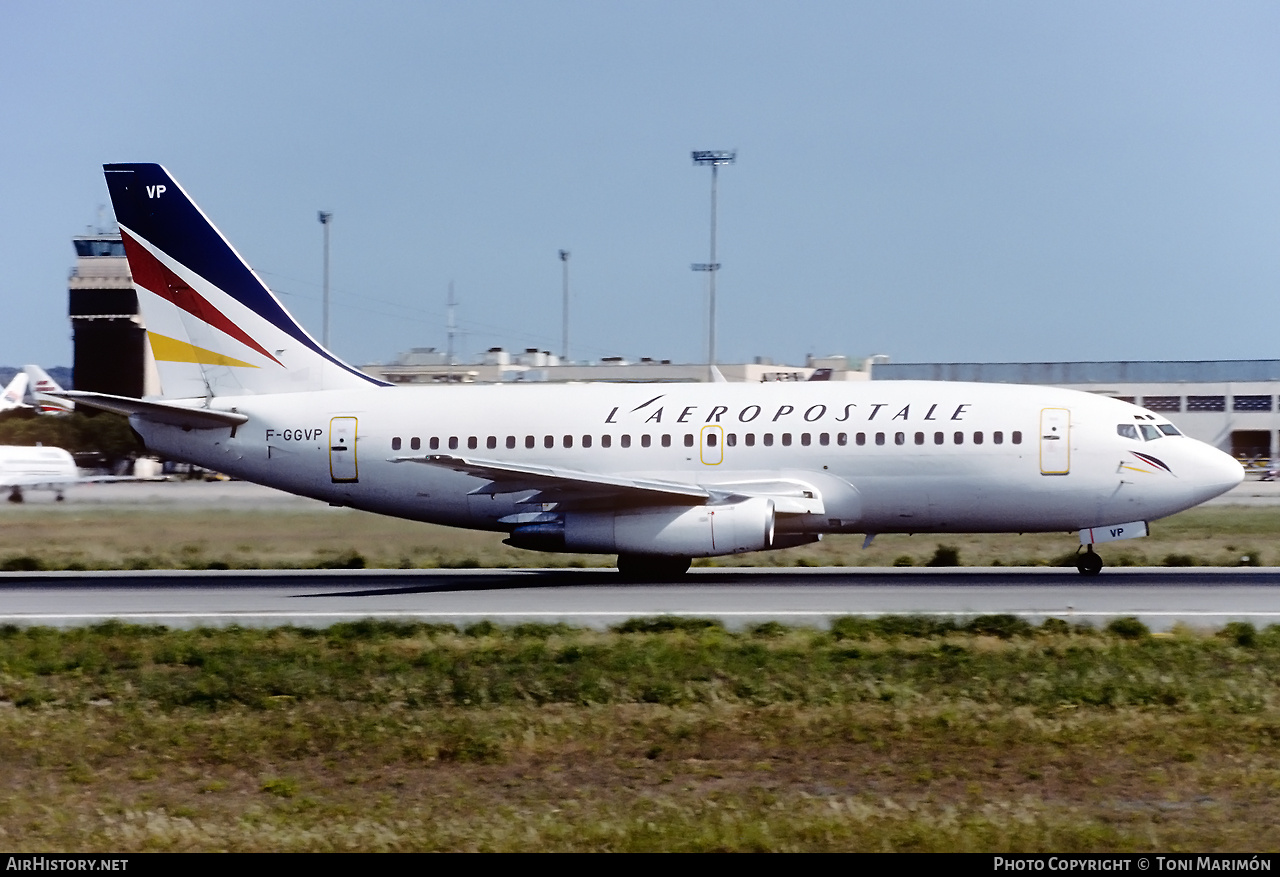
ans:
(111, 341)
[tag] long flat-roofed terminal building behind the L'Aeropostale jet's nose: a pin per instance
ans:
(1229, 404)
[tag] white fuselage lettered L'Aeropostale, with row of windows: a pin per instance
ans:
(877, 458)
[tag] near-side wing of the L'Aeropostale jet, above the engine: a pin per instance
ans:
(556, 485)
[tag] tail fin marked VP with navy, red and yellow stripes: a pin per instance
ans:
(213, 326)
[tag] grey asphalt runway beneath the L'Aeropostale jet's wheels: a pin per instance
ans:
(1200, 597)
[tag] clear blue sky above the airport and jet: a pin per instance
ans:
(934, 181)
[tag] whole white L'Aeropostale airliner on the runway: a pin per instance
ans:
(657, 474)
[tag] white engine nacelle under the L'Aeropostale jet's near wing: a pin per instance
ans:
(671, 531)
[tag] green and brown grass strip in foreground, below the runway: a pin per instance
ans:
(897, 733)
